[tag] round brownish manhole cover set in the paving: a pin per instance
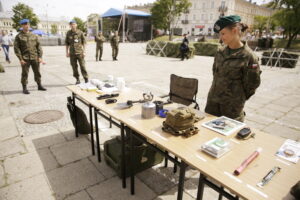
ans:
(44, 116)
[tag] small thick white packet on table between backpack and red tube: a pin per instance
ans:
(216, 147)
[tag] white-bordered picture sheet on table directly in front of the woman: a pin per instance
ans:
(224, 125)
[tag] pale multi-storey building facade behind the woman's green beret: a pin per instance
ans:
(204, 13)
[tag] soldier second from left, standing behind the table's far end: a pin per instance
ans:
(75, 49)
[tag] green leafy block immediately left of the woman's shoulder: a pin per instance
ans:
(206, 48)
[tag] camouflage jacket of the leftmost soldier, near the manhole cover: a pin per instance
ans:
(27, 46)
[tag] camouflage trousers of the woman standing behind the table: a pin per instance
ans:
(232, 110)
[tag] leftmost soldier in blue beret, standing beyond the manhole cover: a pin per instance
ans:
(28, 49)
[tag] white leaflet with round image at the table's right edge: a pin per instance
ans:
(290, 150)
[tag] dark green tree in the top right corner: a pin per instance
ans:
(288, 17)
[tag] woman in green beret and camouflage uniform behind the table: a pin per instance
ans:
(236, 72)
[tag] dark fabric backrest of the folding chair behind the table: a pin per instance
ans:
(183, 90)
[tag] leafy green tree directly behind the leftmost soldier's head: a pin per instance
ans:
(22, 11)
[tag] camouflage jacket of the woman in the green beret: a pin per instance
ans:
(235, 76)
